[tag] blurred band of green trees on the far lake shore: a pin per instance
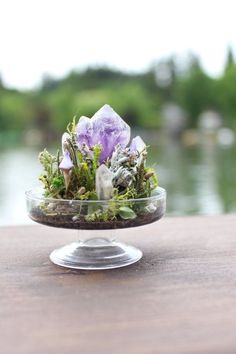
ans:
(139, 98)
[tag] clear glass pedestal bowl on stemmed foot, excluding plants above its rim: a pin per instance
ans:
(95, 252)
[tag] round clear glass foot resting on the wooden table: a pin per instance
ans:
(95, 254)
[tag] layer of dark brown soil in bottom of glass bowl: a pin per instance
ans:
(65, 221)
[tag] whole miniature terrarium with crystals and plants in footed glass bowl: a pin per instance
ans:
(99, 180)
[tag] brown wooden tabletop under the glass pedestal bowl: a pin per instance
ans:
(180, 298)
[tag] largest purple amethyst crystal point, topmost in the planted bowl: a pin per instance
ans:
(109, 130)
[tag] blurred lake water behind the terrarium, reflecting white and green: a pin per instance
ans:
(198, 180)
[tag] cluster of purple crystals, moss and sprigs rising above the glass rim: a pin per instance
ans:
(97, 162)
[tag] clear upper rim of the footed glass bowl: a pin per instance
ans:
(36, 194)
